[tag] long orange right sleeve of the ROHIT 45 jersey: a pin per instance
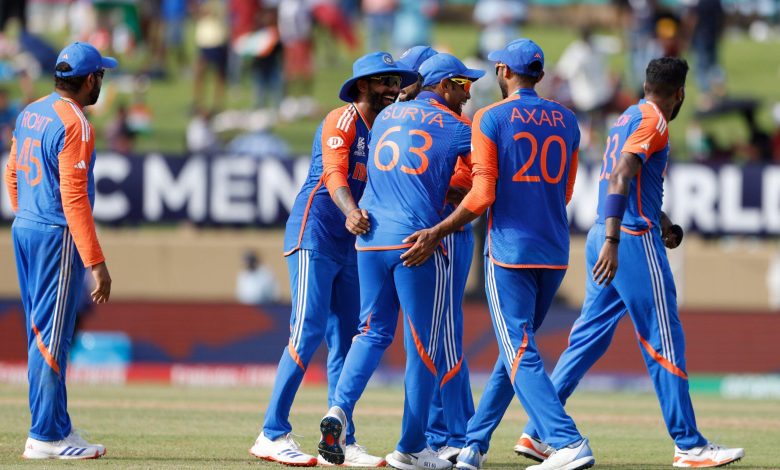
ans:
(74, 163)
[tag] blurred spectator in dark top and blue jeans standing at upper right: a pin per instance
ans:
(705, 19)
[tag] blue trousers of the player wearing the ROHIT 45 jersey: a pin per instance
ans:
(50, 275)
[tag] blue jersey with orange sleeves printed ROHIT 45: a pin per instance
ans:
(50, 171)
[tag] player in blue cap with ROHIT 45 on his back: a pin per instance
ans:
(50, 180)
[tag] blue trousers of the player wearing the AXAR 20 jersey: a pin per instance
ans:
(518, 301)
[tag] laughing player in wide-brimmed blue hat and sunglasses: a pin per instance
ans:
(320, 250)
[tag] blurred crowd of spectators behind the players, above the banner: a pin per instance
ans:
(212, 44)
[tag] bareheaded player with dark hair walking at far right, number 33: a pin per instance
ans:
(632, 228)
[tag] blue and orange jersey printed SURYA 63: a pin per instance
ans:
(414, 148)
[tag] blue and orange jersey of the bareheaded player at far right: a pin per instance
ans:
(643, 131)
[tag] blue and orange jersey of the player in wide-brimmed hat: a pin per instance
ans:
(338, 159)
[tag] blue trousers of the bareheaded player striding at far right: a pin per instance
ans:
(643, 287)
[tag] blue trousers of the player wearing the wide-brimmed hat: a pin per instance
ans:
(326, 302)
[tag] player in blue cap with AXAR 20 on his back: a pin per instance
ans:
(524, 155)
